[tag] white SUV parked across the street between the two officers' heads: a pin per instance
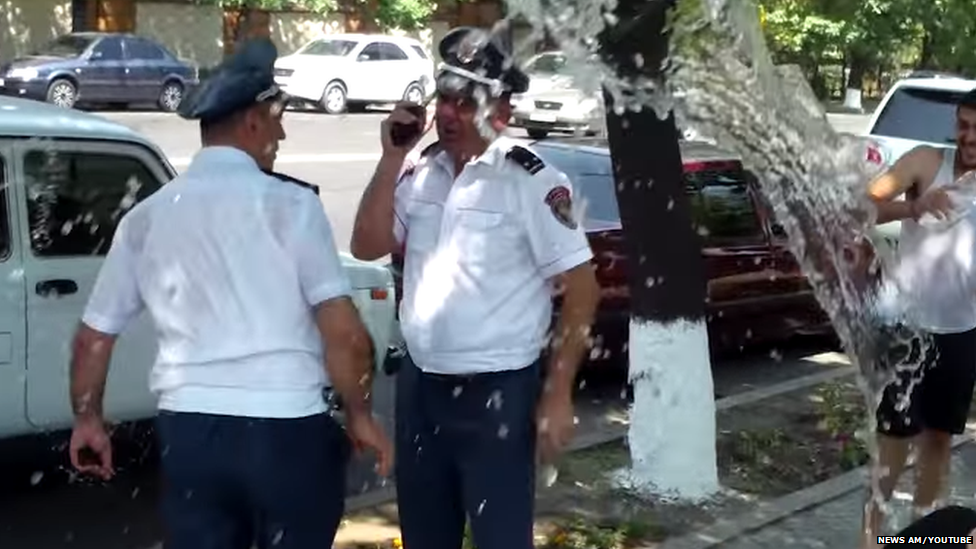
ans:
(351, 71)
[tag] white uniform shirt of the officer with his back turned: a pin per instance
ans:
(229, 262)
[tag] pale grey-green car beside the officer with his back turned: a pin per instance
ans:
(67, 176)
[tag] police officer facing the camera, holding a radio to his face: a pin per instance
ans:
(488, 233)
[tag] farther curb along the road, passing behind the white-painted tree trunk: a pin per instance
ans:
(611, 433)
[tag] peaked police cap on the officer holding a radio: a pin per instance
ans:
(473, 57)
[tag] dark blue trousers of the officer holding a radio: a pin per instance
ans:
(466, 449)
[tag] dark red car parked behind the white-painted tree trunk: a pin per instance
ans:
(756, 291)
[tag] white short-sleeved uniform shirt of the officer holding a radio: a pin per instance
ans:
(480, 254)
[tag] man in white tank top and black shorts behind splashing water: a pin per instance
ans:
(935, 286)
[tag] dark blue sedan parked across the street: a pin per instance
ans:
(100, 68)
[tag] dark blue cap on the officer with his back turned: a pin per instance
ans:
(240, 81)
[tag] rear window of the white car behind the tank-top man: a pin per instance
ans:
(919, 114)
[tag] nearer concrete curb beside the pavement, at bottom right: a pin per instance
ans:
(766, 513)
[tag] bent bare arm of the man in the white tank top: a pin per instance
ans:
(915, 169)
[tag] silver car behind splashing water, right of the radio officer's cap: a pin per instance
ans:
(554, 103)
